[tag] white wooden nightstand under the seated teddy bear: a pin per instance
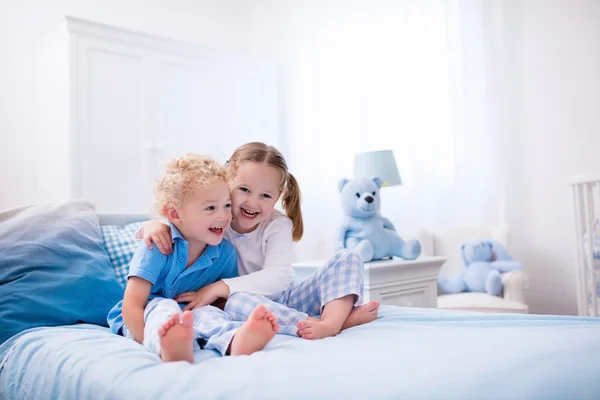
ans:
(397, 282)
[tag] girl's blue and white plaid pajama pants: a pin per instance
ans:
(341, 276)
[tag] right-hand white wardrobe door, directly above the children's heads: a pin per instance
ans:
(212, 105)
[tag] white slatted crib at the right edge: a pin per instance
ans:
(586, 197)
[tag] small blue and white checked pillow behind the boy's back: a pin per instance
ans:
(121, 245)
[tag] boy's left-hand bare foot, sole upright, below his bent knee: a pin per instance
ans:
(176, 338)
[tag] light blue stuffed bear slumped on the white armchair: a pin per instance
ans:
(485, 260)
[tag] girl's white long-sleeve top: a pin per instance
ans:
(265, 257)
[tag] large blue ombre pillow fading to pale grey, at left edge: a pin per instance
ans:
(53, 268)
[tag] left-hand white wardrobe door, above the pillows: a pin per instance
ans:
(111, 122)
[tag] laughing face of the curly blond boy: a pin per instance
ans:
(204, 216)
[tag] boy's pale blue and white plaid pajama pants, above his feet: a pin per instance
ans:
(213, 328)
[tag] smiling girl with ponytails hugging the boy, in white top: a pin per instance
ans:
(319, 306)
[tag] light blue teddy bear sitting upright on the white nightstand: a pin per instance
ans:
(364, 230)
